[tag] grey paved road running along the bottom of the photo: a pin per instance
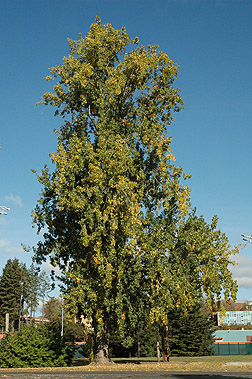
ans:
(122, 374)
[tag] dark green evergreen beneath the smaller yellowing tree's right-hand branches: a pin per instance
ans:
(190, 334)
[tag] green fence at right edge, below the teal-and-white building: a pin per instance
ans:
(233, 348)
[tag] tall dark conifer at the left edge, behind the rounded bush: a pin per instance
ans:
(12, 292)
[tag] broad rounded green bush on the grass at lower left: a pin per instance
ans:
(35, 346)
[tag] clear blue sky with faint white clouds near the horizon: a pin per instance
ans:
(212, 40)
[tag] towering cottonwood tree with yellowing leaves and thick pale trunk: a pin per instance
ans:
(114, 201)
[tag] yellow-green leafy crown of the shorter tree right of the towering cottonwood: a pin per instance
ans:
(201, 256)
